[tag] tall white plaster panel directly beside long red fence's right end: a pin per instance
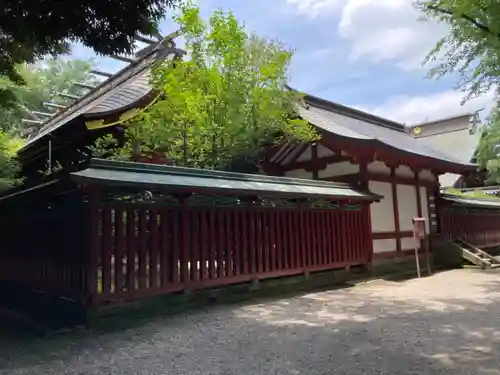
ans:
(382, 213)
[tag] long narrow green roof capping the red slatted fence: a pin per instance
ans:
(128, 174)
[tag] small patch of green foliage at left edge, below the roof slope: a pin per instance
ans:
(9, 166)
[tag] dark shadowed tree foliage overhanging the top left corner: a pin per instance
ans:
(31, 30)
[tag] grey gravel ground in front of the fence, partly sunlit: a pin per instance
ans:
(446, 324)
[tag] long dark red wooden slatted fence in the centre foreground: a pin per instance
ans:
(145, 250)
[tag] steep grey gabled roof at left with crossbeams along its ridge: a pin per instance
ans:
(118, 93)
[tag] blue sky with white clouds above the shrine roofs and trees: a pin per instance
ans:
(362, 53)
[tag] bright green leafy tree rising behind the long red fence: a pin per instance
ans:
(224, 102)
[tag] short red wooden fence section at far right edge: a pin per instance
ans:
(481, 229)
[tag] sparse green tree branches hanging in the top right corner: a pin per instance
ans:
(472, 47)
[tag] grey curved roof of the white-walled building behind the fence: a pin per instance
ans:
(343, 124)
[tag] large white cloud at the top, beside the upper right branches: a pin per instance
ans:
(388, 30)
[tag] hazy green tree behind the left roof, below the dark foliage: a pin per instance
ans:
(41, 83)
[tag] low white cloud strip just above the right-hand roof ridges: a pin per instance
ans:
(415, 109)
